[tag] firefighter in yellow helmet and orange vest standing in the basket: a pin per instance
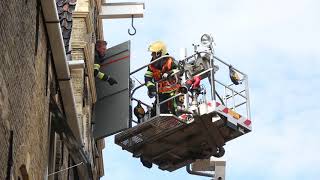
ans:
(162, 70)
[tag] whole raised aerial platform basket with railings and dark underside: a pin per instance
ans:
(173, 141)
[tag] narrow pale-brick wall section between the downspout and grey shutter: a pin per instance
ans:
(83, 34)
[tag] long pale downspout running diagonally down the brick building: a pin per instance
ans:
(60, 62)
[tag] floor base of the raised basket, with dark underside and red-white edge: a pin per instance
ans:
(172, 142)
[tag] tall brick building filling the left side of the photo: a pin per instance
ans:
(47, 90)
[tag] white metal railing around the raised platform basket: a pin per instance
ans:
(231, 92)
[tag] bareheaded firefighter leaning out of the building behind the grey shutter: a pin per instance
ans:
(100, 56)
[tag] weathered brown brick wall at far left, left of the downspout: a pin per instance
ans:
(23, 100)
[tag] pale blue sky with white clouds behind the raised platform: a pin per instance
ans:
(276, 42)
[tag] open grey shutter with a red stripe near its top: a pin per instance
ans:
(111, 113)
